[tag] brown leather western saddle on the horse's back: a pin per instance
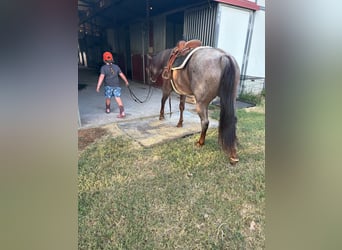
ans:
(182, 48)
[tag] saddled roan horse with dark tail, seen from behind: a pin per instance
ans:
(210, 72)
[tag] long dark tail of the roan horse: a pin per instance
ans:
(227, 93)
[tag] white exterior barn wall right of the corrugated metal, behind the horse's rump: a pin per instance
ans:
(241, 32)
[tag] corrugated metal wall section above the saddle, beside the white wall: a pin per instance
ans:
(199, 23)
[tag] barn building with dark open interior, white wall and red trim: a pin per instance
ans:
(132, 29)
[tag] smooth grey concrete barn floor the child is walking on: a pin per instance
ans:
(92, 104)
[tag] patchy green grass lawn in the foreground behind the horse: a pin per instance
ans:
(174, 195)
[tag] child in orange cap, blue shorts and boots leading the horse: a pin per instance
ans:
(109, 74)
